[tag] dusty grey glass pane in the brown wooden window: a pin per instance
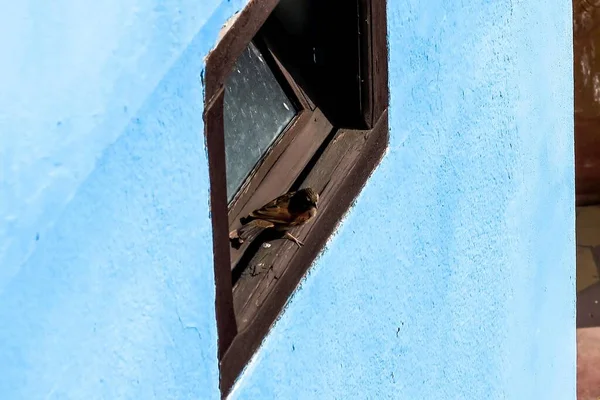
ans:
(256, 110)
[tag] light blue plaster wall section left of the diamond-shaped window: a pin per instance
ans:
(106, 279)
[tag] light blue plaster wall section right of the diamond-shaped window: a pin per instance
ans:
(453, 276)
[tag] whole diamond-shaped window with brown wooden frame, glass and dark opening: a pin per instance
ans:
(295, 96)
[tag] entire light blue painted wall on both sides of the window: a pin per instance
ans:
(106, 287)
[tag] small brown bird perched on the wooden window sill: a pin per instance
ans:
(285, 212)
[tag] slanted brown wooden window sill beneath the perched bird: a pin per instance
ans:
(275, 270)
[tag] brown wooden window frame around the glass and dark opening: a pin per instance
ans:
(311, 152)
